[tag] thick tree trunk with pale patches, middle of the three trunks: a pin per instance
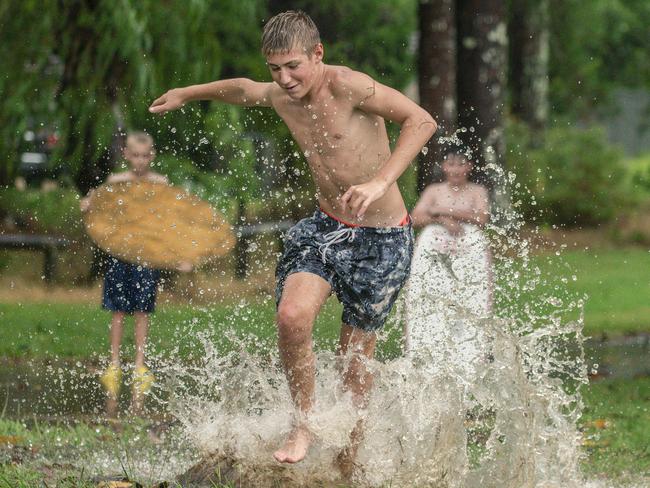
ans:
(482, 46)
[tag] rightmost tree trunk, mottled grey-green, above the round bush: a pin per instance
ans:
(529, 52)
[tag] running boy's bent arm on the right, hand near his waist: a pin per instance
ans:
(417, 127)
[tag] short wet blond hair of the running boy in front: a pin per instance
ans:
(289, 30)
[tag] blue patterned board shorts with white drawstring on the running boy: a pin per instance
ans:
(365, 266)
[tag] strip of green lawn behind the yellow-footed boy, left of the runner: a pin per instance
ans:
(65, 330)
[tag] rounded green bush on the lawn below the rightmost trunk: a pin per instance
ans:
(575, 178)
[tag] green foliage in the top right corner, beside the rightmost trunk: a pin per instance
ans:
(596, 45)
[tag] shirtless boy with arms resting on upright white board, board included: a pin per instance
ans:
(450, 286)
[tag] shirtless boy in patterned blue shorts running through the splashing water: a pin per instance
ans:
(359, 243)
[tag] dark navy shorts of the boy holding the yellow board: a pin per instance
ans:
(129, 287)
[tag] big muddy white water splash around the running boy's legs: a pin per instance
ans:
(503, 416)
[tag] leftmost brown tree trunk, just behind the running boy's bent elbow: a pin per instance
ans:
(436, 79)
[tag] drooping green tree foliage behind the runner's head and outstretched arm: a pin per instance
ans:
(89, 67)
